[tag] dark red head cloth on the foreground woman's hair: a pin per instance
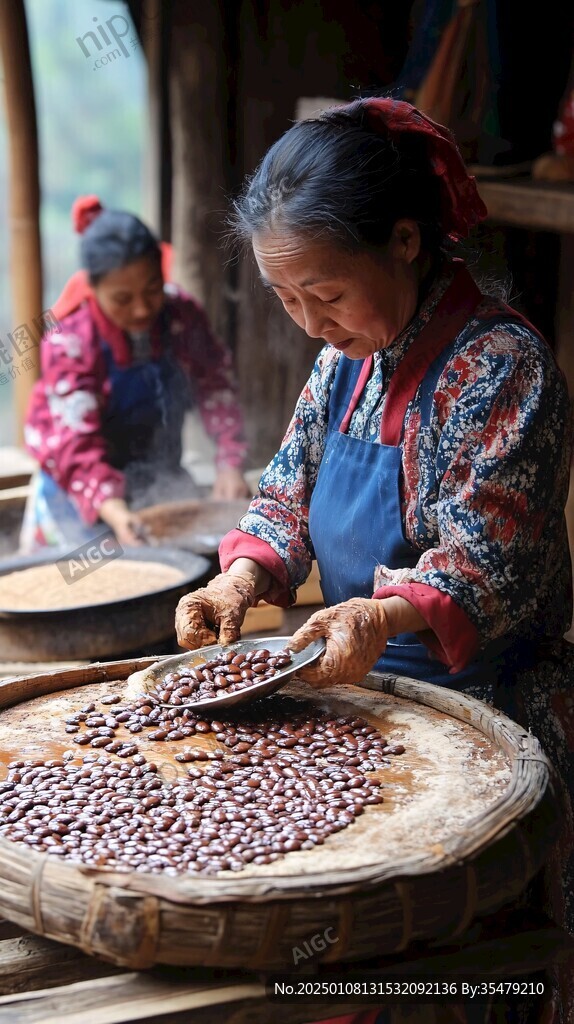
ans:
(462, 207)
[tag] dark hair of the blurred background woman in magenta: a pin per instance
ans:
(113, 240)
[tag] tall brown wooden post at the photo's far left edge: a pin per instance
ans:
(26, 258)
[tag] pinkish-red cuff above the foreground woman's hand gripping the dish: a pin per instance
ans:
(455, 641)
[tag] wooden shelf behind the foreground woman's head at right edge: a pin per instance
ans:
(531, 204)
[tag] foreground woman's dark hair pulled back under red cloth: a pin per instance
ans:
(337, 176)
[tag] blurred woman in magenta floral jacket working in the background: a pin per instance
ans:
(128, 358)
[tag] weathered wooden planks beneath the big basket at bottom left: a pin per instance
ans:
(46, 983)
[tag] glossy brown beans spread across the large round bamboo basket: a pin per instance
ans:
(278, 782)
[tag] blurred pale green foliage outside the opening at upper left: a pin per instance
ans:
(92, 124)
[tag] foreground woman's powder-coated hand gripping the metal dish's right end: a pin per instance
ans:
(357, 635)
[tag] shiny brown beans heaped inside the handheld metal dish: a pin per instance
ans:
(223, 675)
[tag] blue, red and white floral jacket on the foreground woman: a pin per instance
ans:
(484, 486)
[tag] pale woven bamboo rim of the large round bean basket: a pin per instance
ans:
(531, 781)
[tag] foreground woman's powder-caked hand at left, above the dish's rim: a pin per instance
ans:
(215, 614)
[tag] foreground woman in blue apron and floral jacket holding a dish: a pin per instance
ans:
(426, 466)
